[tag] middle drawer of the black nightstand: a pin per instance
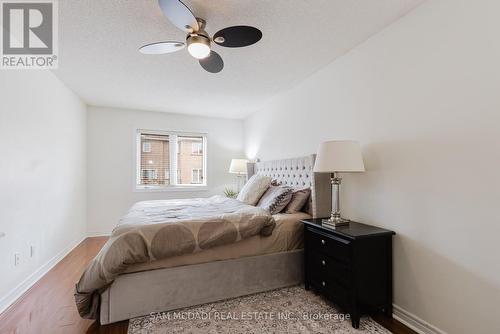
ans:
(329, 267)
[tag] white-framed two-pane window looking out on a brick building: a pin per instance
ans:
(170, 159)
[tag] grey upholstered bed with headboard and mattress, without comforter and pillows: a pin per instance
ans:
(256, 264)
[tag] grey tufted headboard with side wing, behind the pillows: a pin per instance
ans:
(298, 172)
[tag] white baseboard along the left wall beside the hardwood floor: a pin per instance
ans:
(25, 285)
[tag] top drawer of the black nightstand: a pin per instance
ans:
(335, 247)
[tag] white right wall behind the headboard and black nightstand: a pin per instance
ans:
(423, 99)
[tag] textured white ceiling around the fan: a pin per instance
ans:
(99, 59)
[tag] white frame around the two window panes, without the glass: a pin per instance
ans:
(137, 187)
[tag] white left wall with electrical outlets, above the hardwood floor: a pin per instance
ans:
(42, 175)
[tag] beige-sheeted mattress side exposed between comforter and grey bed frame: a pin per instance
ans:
(287, 236)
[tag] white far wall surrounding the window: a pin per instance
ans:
(111, 159)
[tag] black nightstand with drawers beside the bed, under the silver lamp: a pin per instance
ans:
(350, 265)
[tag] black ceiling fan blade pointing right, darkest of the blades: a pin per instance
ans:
(237, 36)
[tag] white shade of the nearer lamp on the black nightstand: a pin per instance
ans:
(339, 156)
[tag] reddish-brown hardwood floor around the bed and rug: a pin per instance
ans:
(49, 307)
